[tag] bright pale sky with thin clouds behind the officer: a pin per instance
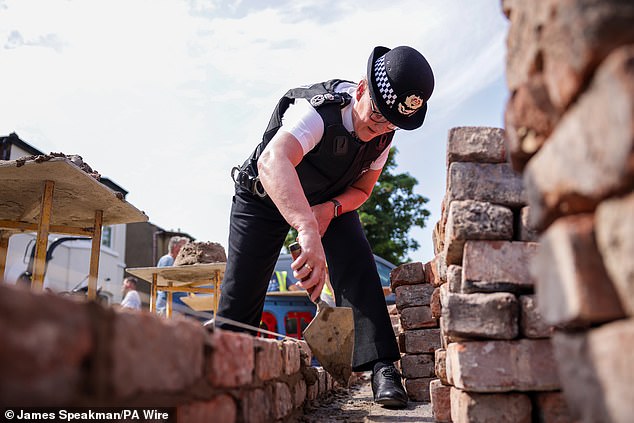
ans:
(164, 97)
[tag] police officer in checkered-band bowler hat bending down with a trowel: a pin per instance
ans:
(319, 159)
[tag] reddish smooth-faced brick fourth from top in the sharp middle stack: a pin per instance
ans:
(493, 266)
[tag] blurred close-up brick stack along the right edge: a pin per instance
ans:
(570, 130)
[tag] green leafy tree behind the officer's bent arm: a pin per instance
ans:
(389, 214)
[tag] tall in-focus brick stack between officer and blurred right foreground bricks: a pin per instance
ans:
(496, 362)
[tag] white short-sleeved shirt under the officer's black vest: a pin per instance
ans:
(304, 122)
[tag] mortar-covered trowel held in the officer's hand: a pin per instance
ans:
(330, 335)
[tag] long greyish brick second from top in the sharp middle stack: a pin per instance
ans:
(492, 183)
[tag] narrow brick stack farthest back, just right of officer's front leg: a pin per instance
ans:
(417, 329)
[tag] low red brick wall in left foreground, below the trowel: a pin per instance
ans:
(60, 353)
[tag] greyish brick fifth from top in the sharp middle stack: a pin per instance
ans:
(481, 316)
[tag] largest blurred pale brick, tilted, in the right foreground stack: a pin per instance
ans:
(596, 135)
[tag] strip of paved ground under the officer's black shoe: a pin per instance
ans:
(355, 405)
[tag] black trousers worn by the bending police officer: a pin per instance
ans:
(256, 235)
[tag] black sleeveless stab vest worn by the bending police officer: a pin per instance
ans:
(339, 158)
